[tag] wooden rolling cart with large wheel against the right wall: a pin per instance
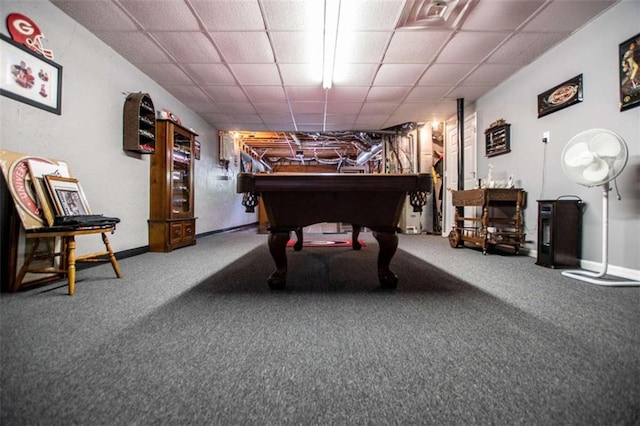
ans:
(500, 222)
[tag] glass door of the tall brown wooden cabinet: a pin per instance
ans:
(181, 175)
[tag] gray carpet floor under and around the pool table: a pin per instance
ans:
(196, 337)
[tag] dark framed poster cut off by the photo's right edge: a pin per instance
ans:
(629, 60)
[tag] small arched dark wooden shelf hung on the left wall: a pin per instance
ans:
(139, 124)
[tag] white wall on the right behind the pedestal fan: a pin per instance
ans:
(593, 52)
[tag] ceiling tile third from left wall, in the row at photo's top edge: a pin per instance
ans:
(237, 15)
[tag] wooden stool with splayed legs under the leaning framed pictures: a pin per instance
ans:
(67, 253)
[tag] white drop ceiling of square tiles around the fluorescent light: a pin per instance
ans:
(245, 64)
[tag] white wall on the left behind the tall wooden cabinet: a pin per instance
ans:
(88, 134)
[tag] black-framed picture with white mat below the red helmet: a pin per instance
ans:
(29, 77)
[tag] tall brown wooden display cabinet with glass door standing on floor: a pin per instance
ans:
(172, 223)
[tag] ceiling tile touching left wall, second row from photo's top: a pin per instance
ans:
(136, 47)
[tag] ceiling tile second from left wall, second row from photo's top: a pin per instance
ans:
(188, 46)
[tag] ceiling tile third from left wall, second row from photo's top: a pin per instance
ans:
(244, 47)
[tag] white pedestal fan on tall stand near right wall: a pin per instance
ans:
(594, 158)
